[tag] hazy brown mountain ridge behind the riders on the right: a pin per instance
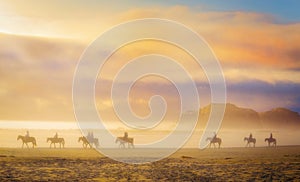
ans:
(240, 118)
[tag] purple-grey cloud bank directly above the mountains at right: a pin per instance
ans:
(263, 96)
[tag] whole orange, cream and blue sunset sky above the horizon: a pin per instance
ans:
(256, 42)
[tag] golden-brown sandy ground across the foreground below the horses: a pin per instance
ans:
(235, 164)
